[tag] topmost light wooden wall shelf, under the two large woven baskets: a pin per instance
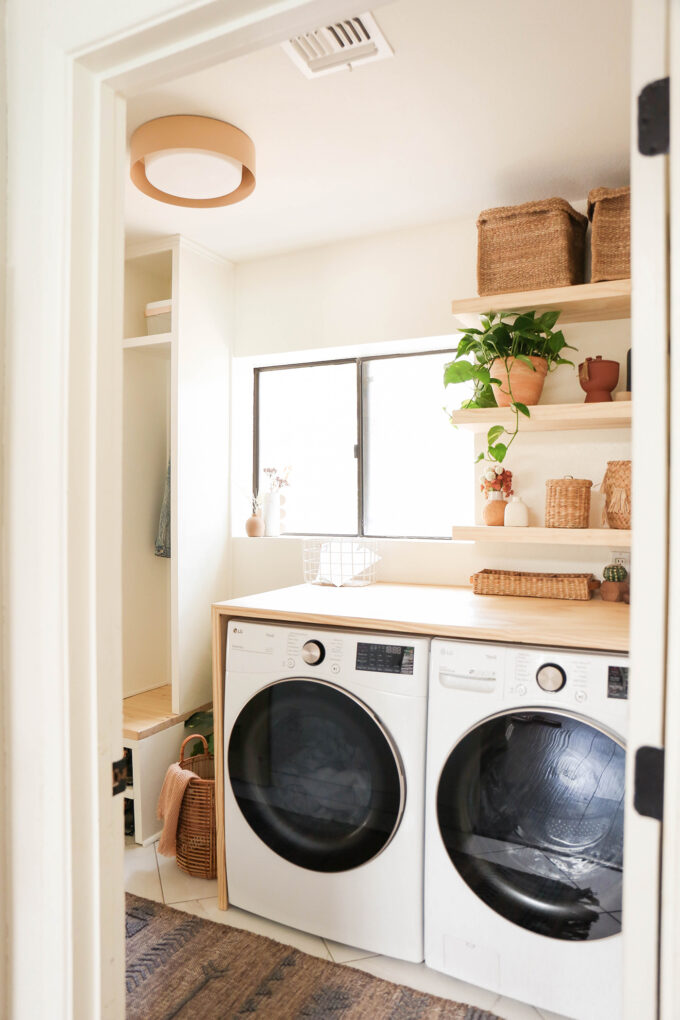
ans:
(584, 303)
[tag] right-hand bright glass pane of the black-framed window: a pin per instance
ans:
(419, 470)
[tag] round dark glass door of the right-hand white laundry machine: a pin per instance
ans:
(531, 810)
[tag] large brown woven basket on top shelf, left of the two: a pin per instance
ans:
(531, 247)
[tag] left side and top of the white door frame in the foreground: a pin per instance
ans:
(63, 860)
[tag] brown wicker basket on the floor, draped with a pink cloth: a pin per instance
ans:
(197, 842)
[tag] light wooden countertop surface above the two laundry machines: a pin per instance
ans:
(443, 613)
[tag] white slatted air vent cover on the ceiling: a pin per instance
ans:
(339, 47)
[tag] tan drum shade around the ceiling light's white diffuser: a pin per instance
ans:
(205, 135)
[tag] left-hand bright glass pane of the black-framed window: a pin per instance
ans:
(308, 424)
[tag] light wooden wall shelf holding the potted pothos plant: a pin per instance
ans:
(550, 418)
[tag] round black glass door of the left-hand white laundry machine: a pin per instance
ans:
(317, 776)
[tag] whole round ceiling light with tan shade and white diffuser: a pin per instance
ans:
(193, 162)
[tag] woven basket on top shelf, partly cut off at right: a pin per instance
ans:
(609, 209)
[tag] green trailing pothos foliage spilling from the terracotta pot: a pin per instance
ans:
(502, 341)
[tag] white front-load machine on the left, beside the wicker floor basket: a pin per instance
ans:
(325, 795)
